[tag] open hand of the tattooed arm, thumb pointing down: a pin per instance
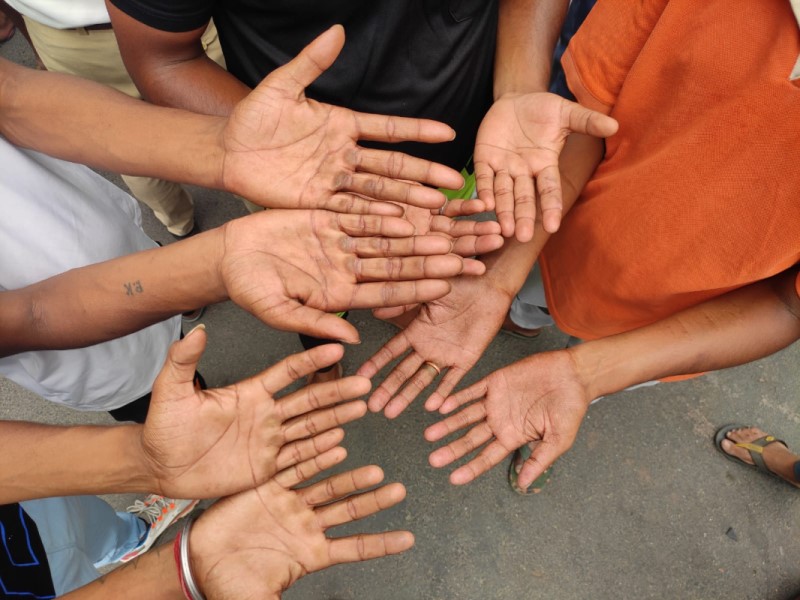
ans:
(291, 269)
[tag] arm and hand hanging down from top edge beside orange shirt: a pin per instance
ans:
(521, 137)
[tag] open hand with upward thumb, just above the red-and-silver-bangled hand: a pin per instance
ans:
(211, 443)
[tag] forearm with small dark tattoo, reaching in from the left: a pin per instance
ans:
(108, 300)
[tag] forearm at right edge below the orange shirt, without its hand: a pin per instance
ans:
(733, 329)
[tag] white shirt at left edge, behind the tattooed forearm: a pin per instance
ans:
(56, 216)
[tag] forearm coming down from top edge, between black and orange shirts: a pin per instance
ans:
(526, 37)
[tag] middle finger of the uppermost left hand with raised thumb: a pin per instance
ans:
(403, 166)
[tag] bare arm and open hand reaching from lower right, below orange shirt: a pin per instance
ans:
(543, 398)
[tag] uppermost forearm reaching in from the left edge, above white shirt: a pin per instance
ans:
(49, 111)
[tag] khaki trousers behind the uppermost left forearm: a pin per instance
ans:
(93, 54)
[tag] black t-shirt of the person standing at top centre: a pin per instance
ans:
(414, 58)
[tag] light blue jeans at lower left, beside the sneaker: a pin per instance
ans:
(81, 534)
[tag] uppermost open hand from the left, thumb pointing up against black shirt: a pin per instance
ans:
(283, 150)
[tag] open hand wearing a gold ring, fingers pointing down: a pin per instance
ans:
(452, 333)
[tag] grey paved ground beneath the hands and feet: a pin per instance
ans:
(641, 507)
